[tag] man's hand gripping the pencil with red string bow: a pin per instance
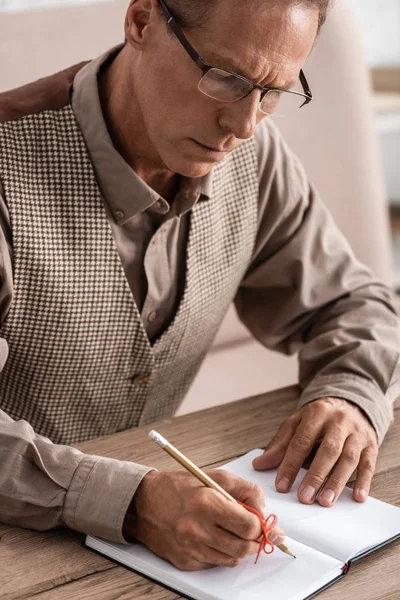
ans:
(195, 527)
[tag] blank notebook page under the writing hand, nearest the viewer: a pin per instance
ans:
(276, 576)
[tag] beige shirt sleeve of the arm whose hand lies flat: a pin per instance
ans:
(306, 292)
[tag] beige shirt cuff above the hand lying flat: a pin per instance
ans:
(359, 391)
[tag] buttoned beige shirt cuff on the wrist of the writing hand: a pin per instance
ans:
(99, 496)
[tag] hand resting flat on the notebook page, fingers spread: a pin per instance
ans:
(347, 442)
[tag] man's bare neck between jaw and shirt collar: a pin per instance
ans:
(126, 128)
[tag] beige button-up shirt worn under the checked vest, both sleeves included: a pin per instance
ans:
(304, 291)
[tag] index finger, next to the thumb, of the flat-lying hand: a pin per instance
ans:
(299, 448)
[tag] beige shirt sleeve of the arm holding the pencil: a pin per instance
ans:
(44, 485)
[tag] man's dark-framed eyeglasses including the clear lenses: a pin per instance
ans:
(227, 86)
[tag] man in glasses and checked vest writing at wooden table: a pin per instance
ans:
(154, 175)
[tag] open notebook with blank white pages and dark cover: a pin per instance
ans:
(324, 540)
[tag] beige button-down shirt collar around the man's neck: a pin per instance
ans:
(124, 191)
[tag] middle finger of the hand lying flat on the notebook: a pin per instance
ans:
(324, 461)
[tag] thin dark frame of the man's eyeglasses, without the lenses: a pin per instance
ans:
(205, 67)
